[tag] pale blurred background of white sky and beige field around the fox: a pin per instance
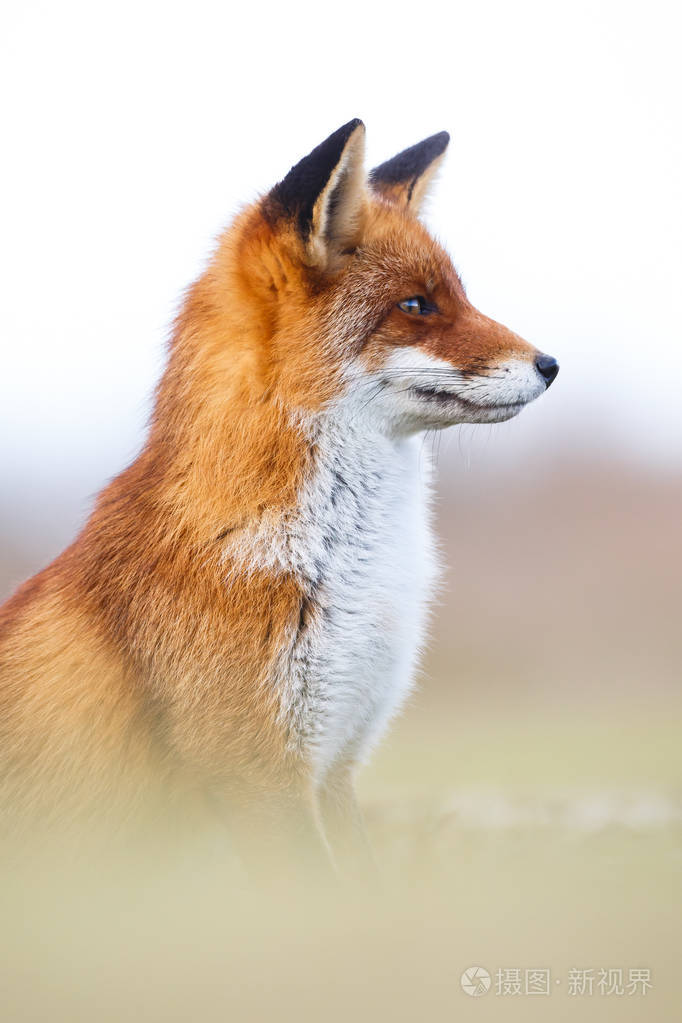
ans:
(538, 769)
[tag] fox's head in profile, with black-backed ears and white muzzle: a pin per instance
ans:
(357, 298)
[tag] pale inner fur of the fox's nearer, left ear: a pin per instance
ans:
(339, 213)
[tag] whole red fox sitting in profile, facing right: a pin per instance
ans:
(243, 612)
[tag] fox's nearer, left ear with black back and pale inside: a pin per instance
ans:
(325, 195)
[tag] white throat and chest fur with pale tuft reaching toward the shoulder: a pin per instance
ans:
(359, 543)
